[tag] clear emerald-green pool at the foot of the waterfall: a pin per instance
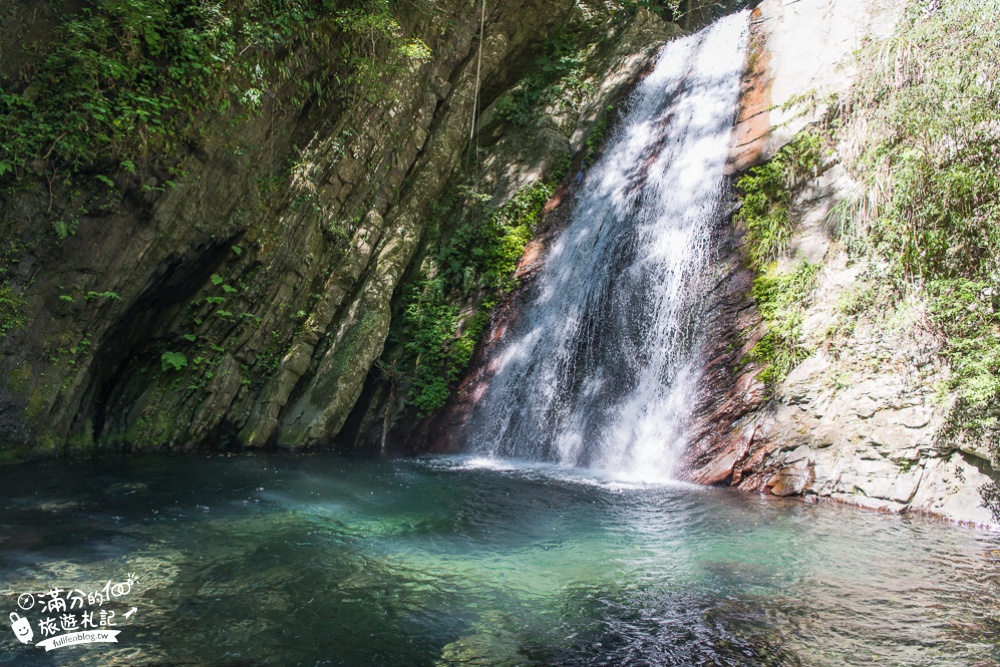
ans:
(318, 560)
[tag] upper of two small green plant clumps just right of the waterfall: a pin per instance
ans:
(767, 192)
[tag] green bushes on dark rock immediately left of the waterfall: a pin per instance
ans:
(482, 254)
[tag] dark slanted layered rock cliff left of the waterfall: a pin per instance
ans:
(246, 301)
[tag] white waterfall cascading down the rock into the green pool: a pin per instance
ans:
(601, 369)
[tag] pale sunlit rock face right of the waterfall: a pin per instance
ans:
(861, 418)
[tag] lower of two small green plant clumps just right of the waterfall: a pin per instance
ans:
(781, 299)
